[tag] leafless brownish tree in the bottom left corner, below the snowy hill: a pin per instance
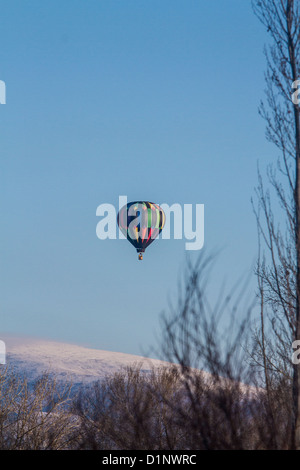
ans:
(35, 417)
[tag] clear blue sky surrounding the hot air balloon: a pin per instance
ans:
(153, 99)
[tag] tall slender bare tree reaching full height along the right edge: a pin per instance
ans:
(278, 268)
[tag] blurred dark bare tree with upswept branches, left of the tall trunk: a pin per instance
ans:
(224, 405)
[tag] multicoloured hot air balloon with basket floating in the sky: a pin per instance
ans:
(141, 222)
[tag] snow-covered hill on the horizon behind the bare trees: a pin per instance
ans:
(33, 357)
